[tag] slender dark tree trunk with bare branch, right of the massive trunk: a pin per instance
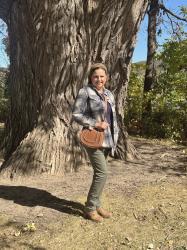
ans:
(156, 11)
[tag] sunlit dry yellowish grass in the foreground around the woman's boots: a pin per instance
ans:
(155, 216)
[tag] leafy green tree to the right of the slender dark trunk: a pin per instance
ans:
(171, 89)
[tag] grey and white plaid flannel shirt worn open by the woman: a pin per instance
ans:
(89, 109)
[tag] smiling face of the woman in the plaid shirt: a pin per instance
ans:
(99, 79)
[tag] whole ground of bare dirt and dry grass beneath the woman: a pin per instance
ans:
(147, 197)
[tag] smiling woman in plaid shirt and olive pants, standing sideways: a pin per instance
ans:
(95, 107)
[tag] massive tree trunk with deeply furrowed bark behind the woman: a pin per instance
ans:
(53, 44)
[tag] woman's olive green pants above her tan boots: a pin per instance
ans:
(98, 159)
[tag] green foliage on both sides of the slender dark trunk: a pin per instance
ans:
(168, 103)
